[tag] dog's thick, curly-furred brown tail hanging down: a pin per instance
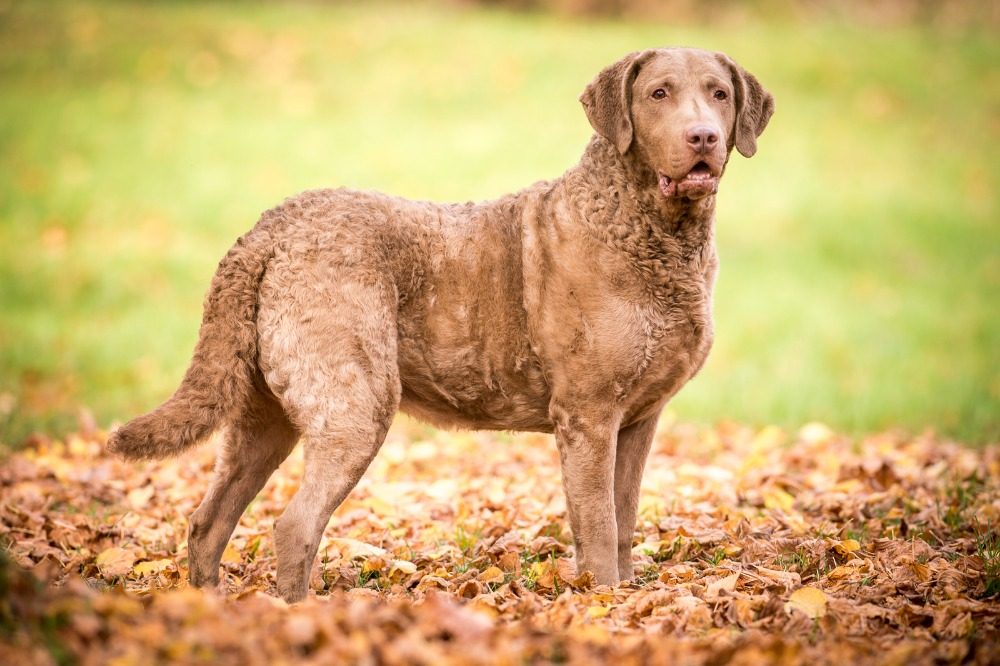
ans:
(223, 371)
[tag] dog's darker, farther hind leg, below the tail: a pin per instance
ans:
(258, 440)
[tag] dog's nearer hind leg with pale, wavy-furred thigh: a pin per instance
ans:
(336, 372)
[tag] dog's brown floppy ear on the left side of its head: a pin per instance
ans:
(607, 100)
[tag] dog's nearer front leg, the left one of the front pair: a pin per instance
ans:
(586, 442)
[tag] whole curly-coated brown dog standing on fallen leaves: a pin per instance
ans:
(577, 306)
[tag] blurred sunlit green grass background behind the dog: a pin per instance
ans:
(859, 248)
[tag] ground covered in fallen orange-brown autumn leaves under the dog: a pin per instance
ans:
(754, 546)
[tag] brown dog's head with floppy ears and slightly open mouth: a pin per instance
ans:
(681, 111)
